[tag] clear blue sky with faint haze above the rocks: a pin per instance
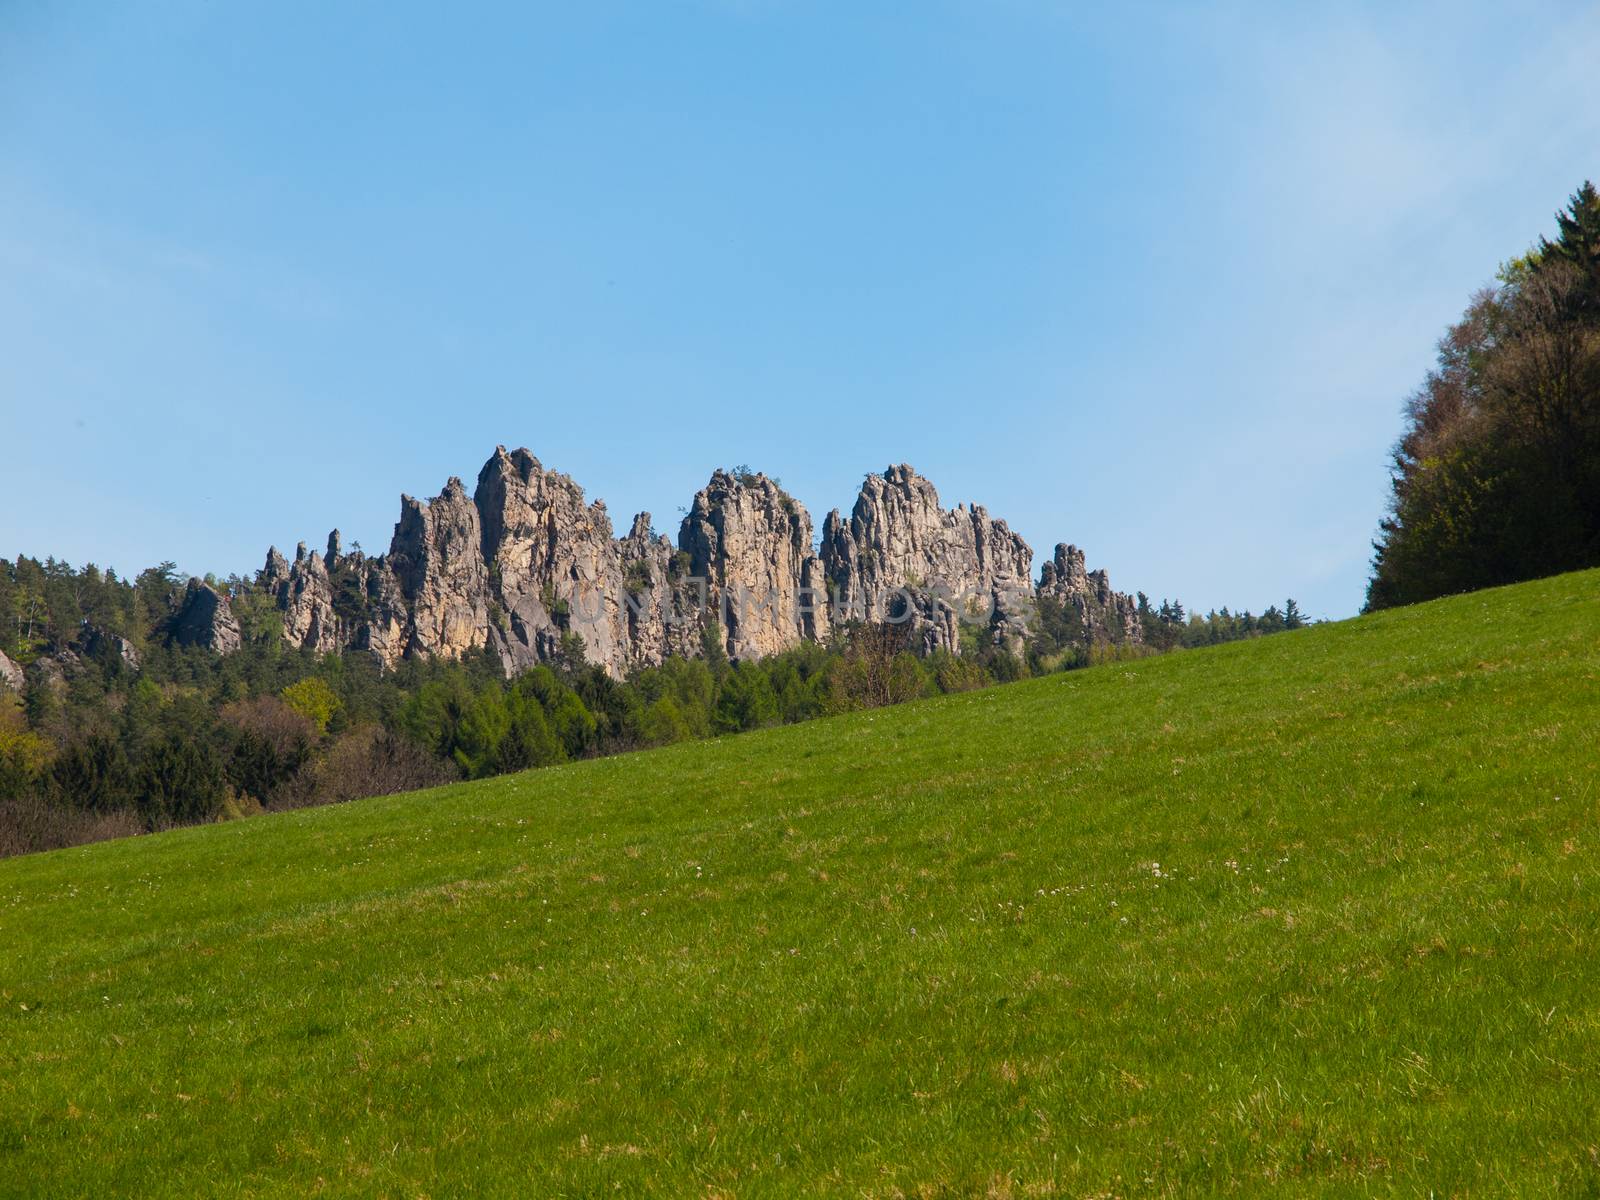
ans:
(1153, 281)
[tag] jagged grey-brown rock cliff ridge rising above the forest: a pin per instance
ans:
(526, 566)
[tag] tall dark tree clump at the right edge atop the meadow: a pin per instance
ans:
(1497, 478)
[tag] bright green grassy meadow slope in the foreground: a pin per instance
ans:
(924, 950)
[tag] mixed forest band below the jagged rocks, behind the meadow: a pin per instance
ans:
(121, 730)
